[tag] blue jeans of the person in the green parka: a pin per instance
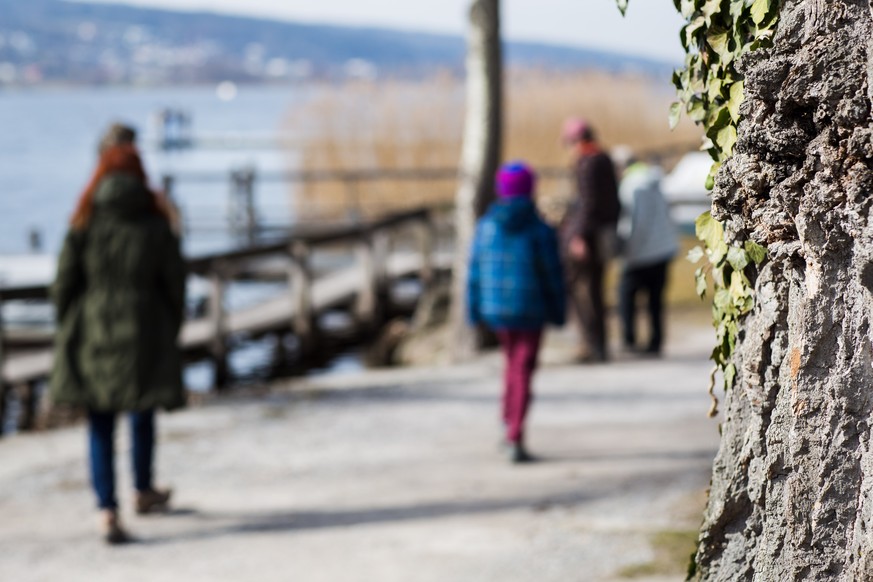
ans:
(101, 437)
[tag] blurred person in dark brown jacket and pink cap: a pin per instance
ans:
(588, 235)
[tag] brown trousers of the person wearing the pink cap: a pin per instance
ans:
(585, 288)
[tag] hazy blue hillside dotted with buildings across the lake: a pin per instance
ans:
(59, 41)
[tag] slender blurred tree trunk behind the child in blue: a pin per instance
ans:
(480, 155)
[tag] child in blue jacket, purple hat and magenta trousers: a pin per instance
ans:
(516, 287)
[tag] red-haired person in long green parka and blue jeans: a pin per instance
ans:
(119, 298)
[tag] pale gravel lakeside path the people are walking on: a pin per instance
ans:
(390, 475)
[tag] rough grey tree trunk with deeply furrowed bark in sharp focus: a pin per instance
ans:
(792, 487)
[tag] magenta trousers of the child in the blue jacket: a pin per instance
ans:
(520, 349)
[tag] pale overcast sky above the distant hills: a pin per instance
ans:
(651, 27)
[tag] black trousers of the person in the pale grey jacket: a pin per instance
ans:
(649, 280)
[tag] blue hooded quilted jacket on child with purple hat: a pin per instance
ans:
(515, 279)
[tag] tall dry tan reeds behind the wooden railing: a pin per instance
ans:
(418, 125)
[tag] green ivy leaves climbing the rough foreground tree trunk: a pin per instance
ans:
(710, 90)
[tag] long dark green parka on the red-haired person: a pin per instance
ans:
(119, 298)
